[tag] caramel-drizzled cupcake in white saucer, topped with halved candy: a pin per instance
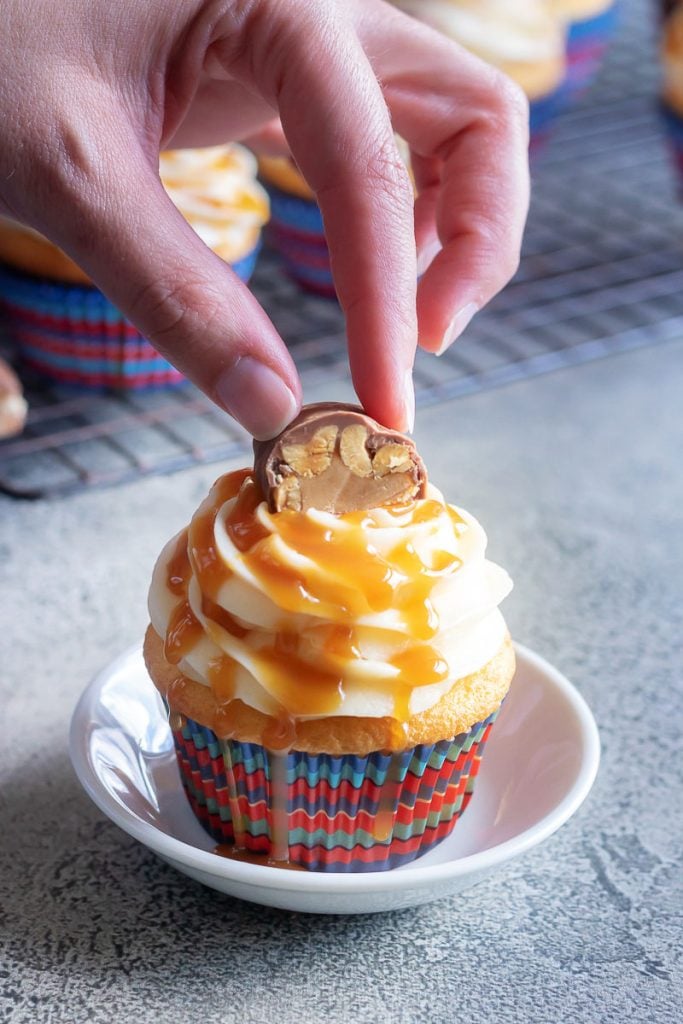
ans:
(327, 641)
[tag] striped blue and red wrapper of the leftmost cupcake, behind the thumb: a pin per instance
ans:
(75, 336)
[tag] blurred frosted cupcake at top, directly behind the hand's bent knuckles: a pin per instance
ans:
(522, 38)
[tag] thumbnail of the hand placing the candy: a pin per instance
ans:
(258, 398)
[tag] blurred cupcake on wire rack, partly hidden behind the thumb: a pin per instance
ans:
(66, 329)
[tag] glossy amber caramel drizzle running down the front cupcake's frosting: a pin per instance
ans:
(347, 579)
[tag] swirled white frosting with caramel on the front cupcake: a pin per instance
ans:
(394, 584)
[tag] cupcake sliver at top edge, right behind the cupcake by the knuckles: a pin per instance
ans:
(590, 27)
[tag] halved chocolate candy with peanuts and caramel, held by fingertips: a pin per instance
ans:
(335, 458)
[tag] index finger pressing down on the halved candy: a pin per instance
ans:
(309, 58)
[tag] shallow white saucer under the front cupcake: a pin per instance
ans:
(539, 766)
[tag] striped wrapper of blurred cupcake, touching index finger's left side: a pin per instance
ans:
(296, 233)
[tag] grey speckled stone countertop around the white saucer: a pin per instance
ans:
(579, 481)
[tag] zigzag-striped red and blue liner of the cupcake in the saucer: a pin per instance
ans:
(329, 814)
